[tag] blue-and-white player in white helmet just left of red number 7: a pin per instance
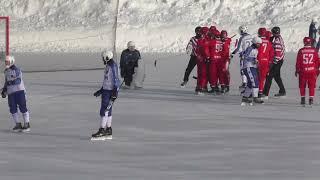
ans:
(250, 70)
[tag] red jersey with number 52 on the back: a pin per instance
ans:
(307, 60)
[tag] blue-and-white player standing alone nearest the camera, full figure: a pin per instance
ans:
(108, 93)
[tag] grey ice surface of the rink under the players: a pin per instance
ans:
(160, 132)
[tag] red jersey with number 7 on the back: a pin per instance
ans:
(265, 51)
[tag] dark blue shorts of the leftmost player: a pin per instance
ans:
(17, 99)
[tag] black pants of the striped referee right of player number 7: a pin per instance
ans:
(274, 73)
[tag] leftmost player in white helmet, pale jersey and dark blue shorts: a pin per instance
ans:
(15, 89)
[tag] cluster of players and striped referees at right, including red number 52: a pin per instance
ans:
(261, 59)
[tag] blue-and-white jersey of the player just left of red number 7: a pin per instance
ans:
(249, 57)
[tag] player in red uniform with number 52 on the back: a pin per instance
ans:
(307, 67)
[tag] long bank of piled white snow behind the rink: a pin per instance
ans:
(155, 25)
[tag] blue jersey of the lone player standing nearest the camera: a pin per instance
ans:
(111, 78)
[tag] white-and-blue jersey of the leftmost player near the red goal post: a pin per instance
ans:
(13, 80)
